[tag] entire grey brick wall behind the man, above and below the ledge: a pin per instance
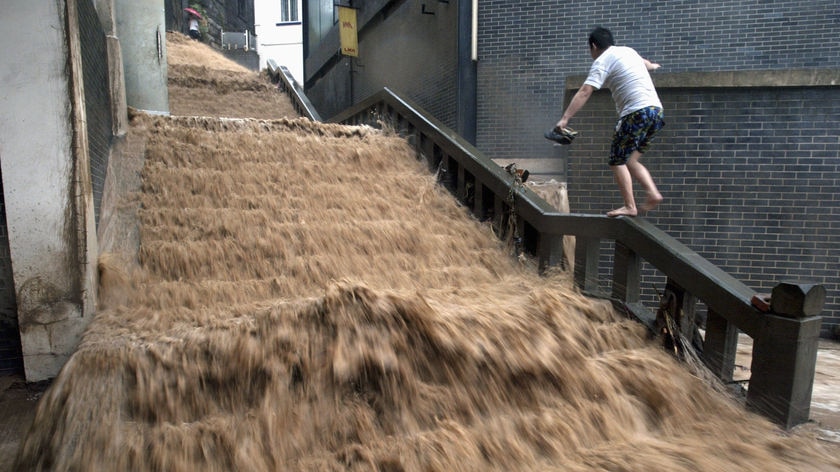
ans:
(751, 175)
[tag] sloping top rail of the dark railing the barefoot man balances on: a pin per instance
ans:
(716, 288)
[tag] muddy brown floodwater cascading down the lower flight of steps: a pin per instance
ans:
(305, 297)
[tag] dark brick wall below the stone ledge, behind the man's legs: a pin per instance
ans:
(750, 177)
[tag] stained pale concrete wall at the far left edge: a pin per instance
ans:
(43, 154)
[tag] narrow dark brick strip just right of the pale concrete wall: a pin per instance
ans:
(97, 98)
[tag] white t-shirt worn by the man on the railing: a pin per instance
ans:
(622, 70)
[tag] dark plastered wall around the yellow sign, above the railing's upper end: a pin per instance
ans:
(401, 48)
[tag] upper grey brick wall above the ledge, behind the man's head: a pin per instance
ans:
(527, 48)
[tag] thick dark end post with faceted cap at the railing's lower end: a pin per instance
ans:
(785, 354)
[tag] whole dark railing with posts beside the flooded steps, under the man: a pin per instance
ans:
(784, 345)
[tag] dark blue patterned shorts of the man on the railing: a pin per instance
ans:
(634, 132)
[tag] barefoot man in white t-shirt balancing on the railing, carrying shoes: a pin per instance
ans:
(625, 73)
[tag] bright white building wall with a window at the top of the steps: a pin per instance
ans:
(282, 42)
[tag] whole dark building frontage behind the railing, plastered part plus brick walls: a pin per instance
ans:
(748, 161)
